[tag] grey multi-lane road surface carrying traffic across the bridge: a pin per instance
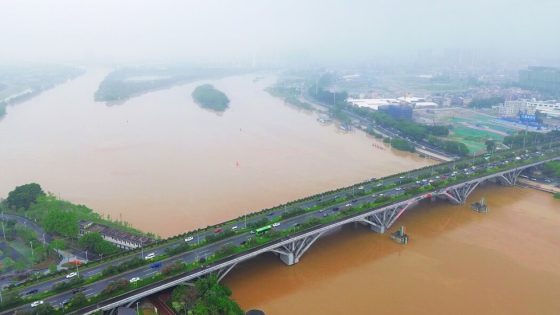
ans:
(431, 174)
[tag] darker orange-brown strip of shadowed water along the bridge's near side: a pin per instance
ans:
(349, 248)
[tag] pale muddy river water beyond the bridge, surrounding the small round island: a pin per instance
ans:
(165, 165)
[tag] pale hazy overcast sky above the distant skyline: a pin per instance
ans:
(222, 31)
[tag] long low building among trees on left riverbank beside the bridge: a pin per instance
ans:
(121, 239)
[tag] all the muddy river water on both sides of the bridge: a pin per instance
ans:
(166, 165)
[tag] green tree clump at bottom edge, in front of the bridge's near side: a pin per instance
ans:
(207, 296)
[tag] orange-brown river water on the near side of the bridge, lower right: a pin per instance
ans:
(457, 262)
